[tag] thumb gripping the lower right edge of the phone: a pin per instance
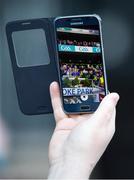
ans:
(107, 107)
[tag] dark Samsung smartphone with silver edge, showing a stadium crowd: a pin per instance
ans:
(81, 65)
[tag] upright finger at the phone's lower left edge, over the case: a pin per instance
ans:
(56, 102)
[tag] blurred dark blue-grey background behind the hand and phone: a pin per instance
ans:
(24, 139)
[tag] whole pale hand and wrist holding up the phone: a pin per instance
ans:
(79, 141)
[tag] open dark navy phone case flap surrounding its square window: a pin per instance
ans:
(32, 83)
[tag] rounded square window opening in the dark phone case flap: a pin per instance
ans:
(30, 48)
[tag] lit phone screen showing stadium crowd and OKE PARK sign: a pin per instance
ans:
(81, 65)
